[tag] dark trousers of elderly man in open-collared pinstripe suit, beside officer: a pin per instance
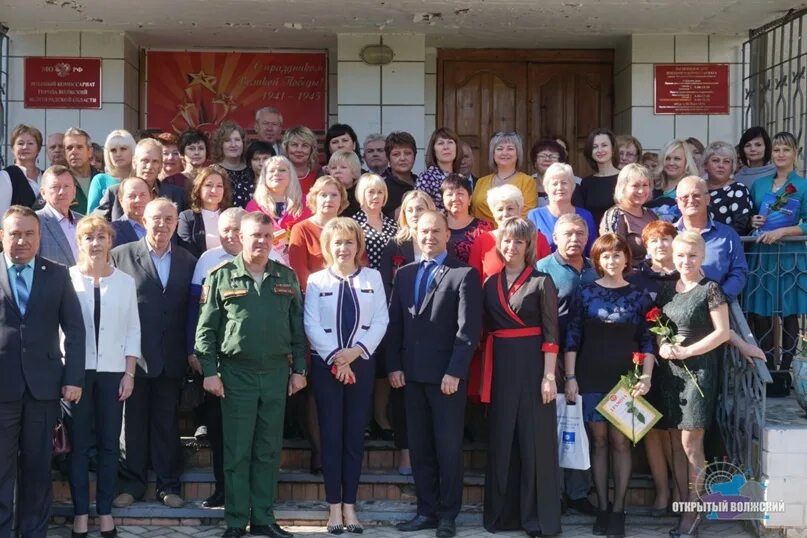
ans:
(151, 436)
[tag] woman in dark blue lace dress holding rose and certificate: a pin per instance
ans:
(607, 325)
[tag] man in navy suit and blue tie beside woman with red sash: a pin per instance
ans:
(435, 325)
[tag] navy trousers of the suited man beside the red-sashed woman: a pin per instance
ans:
(435, 423)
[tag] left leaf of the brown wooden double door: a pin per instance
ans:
(481, 98)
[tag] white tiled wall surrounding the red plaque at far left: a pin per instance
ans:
(119, 82)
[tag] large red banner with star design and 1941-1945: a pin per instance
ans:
(201, 89)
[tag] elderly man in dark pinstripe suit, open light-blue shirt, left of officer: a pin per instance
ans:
(162, 274)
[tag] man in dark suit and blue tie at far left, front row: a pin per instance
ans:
(36, 300)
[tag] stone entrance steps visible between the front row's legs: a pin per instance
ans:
(384, 495)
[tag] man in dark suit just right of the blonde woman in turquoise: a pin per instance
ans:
(147, 162)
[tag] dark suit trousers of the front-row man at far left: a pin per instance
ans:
(26, 429)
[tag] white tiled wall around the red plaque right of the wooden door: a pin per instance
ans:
(633, 87)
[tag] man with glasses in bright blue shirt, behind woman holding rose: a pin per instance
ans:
(725, 260)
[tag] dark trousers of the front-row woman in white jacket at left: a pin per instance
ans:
(98, 406)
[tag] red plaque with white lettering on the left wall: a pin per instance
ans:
(52, 82)
